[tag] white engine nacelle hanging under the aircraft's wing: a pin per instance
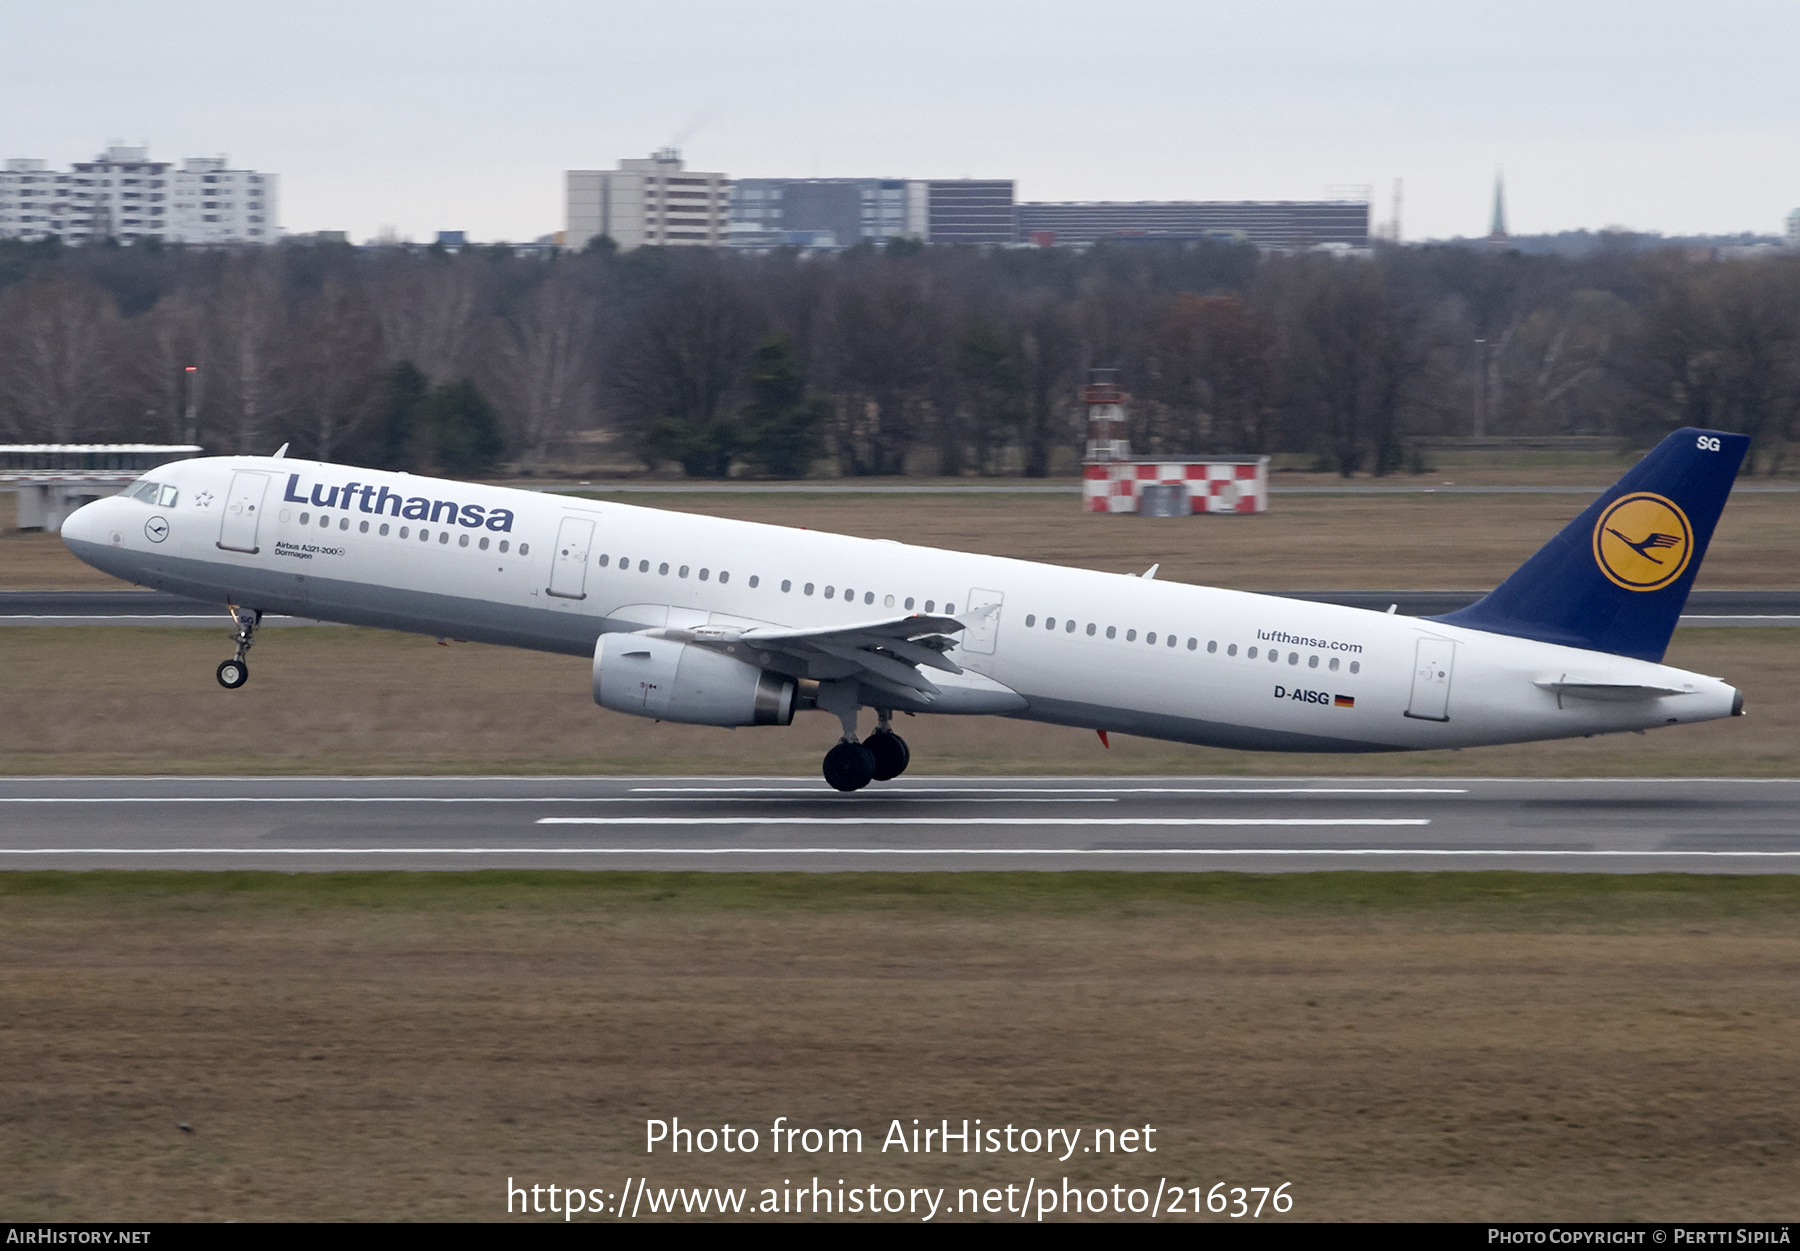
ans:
(681, 683)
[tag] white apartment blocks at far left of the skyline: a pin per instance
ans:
(125, 195)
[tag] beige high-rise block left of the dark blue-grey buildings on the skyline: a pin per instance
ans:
(656, 202)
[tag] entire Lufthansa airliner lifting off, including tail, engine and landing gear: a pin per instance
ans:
(733, 624)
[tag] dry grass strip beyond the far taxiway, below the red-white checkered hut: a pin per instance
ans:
(1329, 543)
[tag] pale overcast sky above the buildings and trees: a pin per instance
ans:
(460, 114)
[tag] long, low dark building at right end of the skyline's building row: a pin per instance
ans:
(1270, 224)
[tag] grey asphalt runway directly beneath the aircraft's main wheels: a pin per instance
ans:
(1707, 825)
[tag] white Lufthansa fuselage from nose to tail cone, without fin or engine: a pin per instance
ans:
(1065, 645)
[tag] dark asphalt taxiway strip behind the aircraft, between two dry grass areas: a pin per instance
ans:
(154, 607)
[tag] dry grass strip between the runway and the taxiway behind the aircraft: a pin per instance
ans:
(143, 701)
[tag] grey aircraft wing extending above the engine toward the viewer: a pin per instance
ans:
(886, 654)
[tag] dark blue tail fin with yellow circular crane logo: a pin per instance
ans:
(1617, 577)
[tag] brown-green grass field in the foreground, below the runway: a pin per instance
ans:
(1475, 1047)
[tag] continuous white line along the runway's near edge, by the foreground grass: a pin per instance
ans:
(915, 852)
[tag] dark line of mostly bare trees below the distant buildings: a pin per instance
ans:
(901, 359)
